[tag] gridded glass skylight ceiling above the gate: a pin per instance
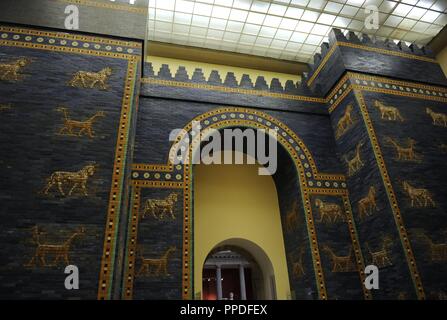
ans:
(287, 29)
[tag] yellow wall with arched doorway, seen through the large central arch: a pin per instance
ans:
(233, 201)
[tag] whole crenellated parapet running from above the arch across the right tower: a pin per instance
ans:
(343, 53)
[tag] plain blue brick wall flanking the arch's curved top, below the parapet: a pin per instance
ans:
(158, 117)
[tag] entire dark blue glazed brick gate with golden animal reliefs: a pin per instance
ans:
(85, 129)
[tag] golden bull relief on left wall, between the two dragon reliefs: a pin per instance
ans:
(72, 180)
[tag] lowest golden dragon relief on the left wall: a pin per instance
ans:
(59, 252)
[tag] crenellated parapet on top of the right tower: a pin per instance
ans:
(367, 54)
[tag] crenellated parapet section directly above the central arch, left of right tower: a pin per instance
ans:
(231, 88)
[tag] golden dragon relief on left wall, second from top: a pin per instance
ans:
(78, 128)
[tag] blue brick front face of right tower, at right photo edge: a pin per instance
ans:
(426, 171)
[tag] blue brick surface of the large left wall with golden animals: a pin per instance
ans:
(34, 148)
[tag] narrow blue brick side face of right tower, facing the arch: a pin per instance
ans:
(373, 228)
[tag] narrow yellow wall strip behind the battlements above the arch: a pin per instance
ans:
(223, 70)
